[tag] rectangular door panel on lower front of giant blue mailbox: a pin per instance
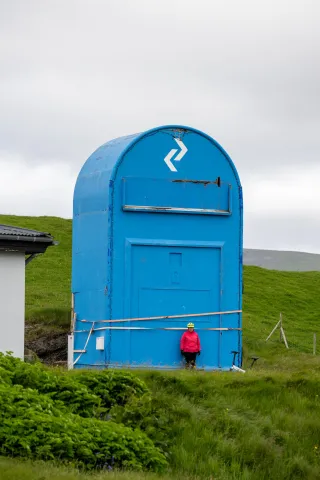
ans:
(170, 280)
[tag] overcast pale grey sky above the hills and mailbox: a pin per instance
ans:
(76, 73)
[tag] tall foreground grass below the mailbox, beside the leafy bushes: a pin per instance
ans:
(257, 426)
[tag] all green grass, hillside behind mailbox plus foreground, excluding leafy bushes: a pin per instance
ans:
(264, 424)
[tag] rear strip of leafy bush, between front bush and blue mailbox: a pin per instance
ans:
(108, 395)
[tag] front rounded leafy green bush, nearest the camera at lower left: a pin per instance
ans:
(35, 426)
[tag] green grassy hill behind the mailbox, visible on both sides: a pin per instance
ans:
(266, 294)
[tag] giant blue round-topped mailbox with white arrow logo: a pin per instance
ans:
(131, 259)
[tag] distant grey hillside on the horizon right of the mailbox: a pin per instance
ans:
(283, 261)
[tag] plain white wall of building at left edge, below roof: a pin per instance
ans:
(12, 298)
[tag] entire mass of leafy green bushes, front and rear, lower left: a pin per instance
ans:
(47, 414)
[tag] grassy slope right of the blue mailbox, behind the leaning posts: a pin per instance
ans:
(294, 294)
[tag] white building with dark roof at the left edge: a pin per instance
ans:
(15, 244)
